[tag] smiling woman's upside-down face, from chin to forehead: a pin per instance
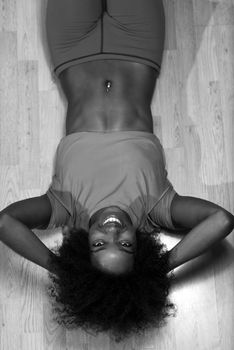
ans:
(112, 240)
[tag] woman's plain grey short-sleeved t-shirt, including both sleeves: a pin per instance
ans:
(95, 170)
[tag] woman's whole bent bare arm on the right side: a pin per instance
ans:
(209, 222)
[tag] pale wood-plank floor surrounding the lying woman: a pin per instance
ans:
(193, 108)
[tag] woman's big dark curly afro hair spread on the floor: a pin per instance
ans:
(83, 296)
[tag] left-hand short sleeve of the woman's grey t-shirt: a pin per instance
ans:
(60, 215)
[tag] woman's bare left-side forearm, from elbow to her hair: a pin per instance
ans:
(23, 241)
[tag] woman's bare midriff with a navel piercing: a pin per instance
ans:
(109, 95)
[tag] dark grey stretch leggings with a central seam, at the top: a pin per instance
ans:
(84, 30)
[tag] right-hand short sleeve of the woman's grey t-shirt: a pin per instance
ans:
(161, 212)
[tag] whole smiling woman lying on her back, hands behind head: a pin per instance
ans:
(110, 190)
